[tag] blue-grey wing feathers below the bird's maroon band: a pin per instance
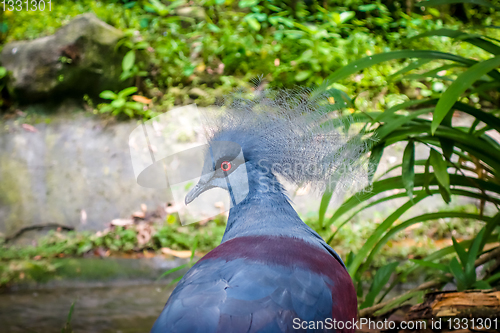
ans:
(244, 296)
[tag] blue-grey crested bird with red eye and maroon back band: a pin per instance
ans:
(272, 272)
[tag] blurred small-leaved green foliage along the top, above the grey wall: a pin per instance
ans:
(174, 48)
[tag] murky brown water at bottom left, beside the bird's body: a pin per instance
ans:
(115, 308)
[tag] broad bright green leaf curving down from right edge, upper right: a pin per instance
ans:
(459, 86)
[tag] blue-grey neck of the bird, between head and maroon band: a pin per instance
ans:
(265, 211)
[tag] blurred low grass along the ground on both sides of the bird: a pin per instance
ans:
(42, 261)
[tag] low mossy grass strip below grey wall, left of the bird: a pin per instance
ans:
(22, 263)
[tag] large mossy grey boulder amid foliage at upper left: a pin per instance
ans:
(79, 58)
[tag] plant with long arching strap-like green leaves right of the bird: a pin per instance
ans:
(461, 162)
